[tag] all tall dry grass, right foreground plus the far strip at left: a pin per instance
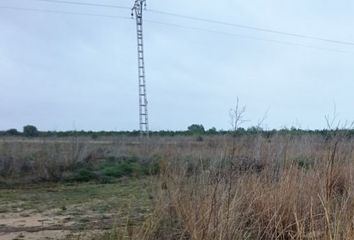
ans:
(249, 187)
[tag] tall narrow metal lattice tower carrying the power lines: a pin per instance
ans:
(143, 103)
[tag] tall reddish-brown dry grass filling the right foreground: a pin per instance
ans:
(257, 188)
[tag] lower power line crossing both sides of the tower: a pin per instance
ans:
(179, 26)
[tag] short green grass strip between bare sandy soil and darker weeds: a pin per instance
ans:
(78, 198)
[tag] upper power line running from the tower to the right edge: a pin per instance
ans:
(253, 28)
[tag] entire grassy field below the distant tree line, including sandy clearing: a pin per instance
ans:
(280, 186)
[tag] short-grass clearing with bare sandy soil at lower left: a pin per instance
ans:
(71, 211)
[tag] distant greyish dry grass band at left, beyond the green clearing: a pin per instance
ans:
(28, 160)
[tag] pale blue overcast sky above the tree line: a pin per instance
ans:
(77, 72)
